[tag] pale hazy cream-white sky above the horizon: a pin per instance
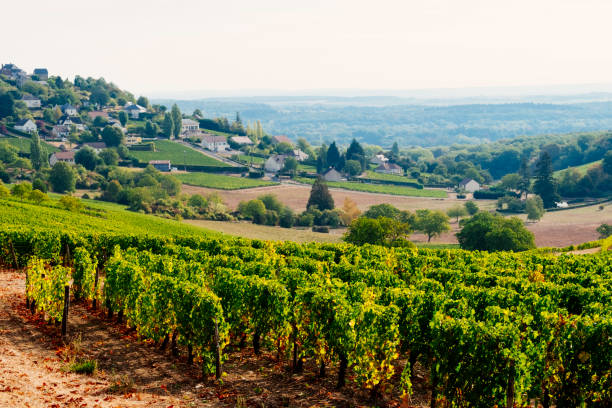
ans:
(165, 47)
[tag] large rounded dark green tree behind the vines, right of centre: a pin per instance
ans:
(489, 232)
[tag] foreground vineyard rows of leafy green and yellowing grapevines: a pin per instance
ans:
(491, 329)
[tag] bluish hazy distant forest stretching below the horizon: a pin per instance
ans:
(409, 125)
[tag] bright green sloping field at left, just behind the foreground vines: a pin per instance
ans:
(99, 216)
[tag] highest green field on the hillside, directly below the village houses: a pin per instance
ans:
(178, 154)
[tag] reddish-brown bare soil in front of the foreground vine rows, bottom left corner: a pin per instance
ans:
(134, 373)
